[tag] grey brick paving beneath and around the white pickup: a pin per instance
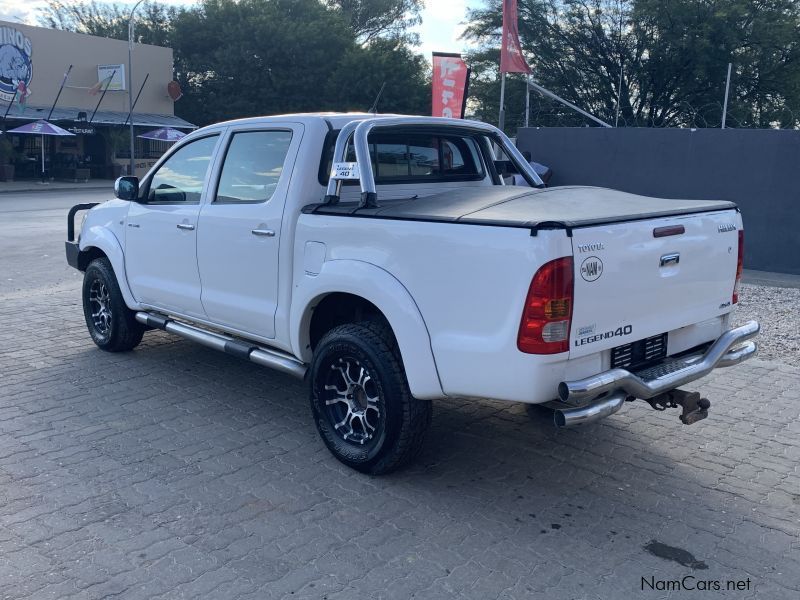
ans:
(178, 472)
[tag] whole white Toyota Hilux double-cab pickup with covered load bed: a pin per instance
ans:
(383, 259)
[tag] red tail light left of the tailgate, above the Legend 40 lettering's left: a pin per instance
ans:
(547, 314)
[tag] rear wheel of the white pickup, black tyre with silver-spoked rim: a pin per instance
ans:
(362, 406)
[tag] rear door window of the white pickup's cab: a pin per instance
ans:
(253, 166)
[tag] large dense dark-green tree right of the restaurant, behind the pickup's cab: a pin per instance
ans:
(239, 59)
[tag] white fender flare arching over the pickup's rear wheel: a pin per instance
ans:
(391, 297)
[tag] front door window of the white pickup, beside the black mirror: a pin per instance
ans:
(180, 179)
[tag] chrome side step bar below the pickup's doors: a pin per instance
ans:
(267, 357)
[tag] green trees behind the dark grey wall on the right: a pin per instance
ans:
(672, 55)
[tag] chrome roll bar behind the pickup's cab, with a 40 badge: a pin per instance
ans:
(360, 129)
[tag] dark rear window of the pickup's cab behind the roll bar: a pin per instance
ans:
(413, 158)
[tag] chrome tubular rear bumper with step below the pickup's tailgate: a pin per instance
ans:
(731, 348)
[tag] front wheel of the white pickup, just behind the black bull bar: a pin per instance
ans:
(112, 325)
